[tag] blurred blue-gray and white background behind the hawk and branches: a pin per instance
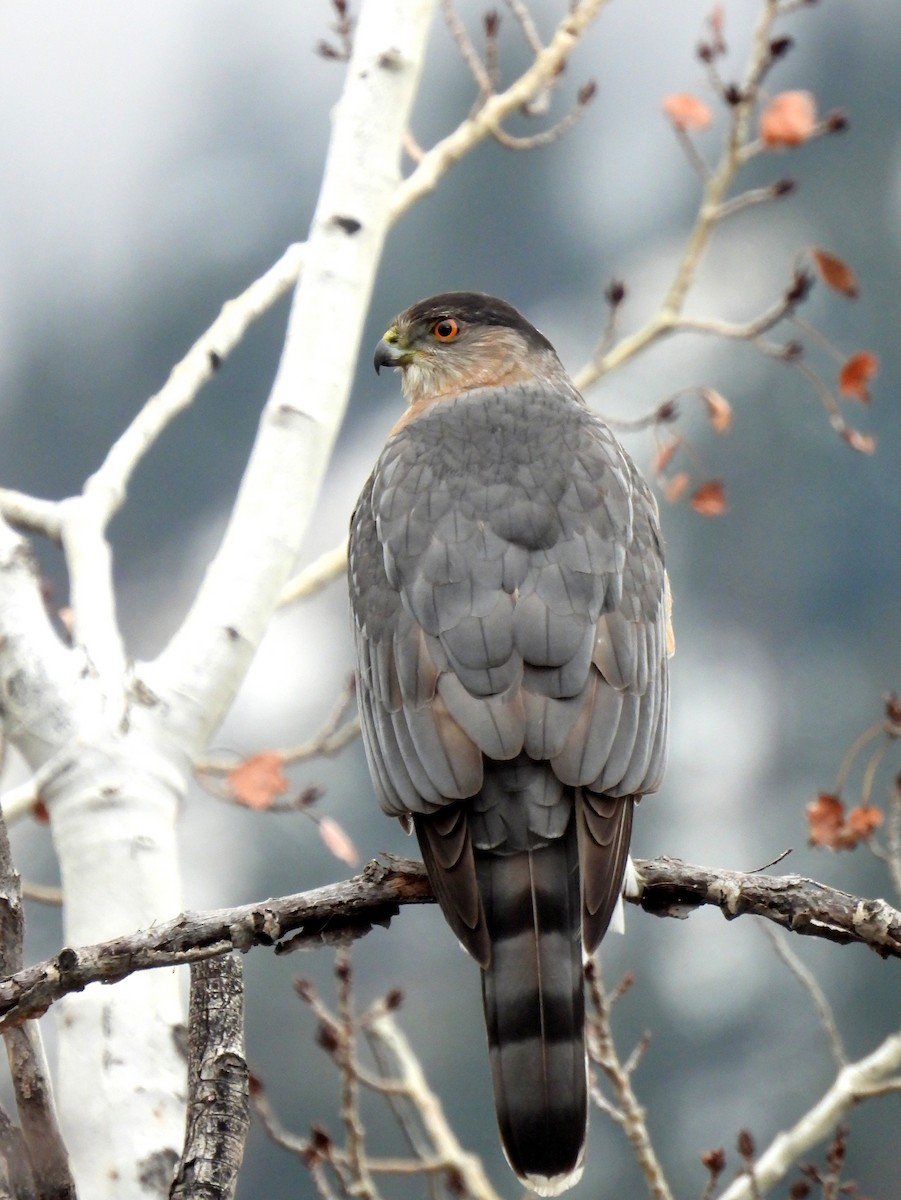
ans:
(157, 160)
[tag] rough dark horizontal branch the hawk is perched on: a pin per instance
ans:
(349, 910)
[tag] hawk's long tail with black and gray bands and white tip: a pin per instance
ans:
(534, 1009)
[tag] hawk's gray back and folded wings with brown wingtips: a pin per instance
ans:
(508, 591)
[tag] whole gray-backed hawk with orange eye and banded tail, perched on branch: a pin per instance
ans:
(509, 602)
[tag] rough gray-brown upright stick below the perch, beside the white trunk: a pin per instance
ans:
(218, 1106)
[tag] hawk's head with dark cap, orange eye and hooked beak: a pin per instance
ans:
(461, 340)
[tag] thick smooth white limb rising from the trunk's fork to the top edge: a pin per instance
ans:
(200, 671)
